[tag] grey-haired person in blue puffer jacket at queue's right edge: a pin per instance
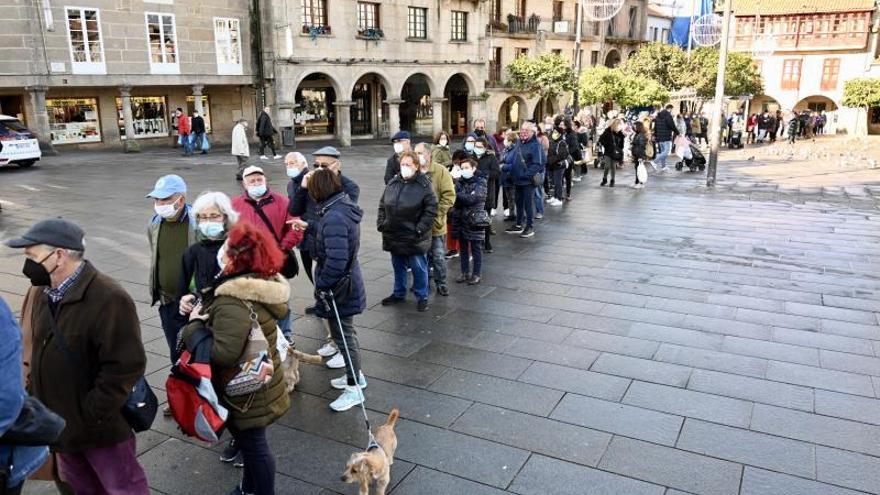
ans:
(525, 163)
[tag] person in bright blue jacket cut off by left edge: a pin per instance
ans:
(22, 460)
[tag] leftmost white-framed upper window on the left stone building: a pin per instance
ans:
(86, 46)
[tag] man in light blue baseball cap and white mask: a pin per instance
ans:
(172, 230)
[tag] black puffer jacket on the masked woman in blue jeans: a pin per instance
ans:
(406, 214)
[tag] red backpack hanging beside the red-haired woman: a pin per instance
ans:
(191, 396)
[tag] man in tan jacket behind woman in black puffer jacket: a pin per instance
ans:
(444, 191)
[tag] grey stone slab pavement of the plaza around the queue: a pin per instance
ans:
(664, 341)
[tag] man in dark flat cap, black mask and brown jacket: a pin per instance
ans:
(88, 356)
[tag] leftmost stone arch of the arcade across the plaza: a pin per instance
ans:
(314, 94)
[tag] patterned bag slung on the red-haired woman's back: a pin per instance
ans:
(255, 368)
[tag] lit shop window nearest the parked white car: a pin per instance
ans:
(73, 120)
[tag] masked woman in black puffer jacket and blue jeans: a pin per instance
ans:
(406, 215)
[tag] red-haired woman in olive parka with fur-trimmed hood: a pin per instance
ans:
(249, 289)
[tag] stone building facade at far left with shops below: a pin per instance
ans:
(92, 73)
